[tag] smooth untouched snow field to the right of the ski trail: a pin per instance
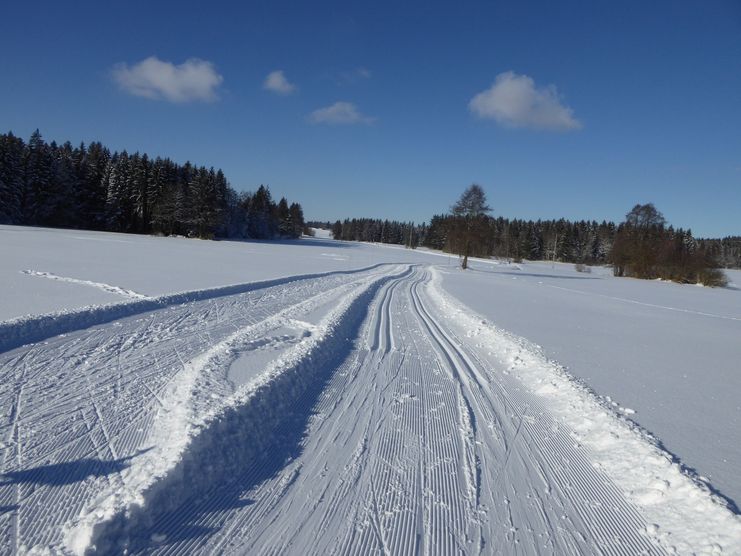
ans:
(669, 354)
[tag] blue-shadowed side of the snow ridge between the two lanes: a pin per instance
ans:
(271, 407)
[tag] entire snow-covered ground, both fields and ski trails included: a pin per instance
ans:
(326, 397)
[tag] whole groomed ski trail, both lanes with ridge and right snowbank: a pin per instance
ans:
(357, 412)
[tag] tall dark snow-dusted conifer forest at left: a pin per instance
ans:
(90, 187)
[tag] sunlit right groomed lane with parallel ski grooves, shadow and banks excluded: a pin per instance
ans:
(443, 456)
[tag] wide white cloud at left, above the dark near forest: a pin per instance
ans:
(153, 78)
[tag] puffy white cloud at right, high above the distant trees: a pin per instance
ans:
(514, 101)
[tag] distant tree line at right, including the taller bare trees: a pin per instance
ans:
(643, 246)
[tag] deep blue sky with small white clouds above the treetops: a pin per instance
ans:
(558, 109)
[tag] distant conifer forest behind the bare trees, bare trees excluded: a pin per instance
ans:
(586, 242)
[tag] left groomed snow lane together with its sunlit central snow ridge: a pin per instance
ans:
(93, 417)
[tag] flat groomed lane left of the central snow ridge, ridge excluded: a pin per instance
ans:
(73, 434)
